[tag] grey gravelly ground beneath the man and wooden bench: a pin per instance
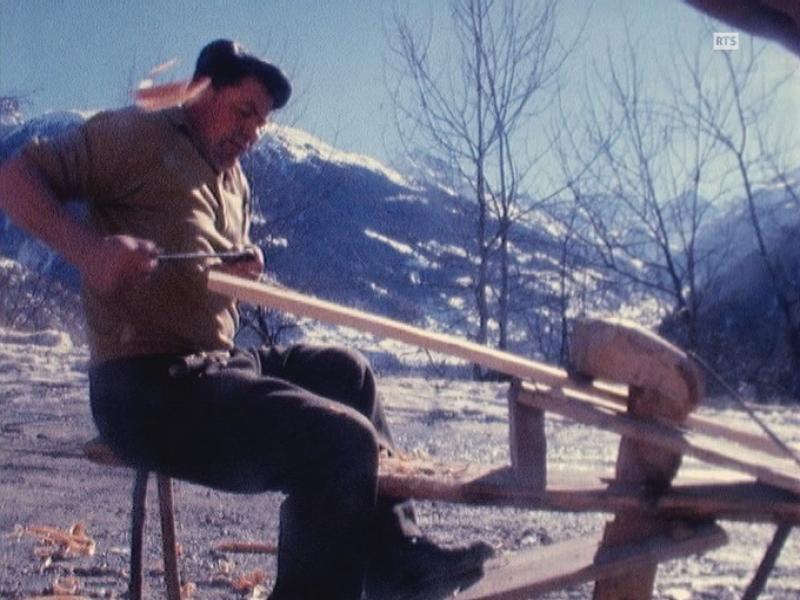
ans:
(44, 481)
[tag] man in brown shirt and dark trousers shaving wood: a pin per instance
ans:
(168, 389)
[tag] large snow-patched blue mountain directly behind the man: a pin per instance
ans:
(341, 226)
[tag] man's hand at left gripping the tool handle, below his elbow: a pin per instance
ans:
(117, 261)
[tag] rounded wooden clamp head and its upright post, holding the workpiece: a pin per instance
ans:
(663, 386)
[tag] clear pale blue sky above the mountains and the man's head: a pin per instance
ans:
(85, 54)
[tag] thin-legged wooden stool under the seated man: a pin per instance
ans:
(99, 452)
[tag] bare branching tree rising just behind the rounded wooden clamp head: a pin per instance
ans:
(643, 165)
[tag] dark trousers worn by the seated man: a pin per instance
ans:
(306, 421)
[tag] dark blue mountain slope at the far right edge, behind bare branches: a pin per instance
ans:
(745, 328)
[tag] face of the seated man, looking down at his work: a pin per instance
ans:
(232, 119)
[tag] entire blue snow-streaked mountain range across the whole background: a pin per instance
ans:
(347, 228)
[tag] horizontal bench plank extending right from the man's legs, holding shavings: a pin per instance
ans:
(580, 491)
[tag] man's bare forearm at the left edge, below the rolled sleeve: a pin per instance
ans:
(30, 203)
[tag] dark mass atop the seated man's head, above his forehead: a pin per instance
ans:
(227, 63)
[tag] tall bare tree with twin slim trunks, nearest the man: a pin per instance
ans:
(469, 116)
